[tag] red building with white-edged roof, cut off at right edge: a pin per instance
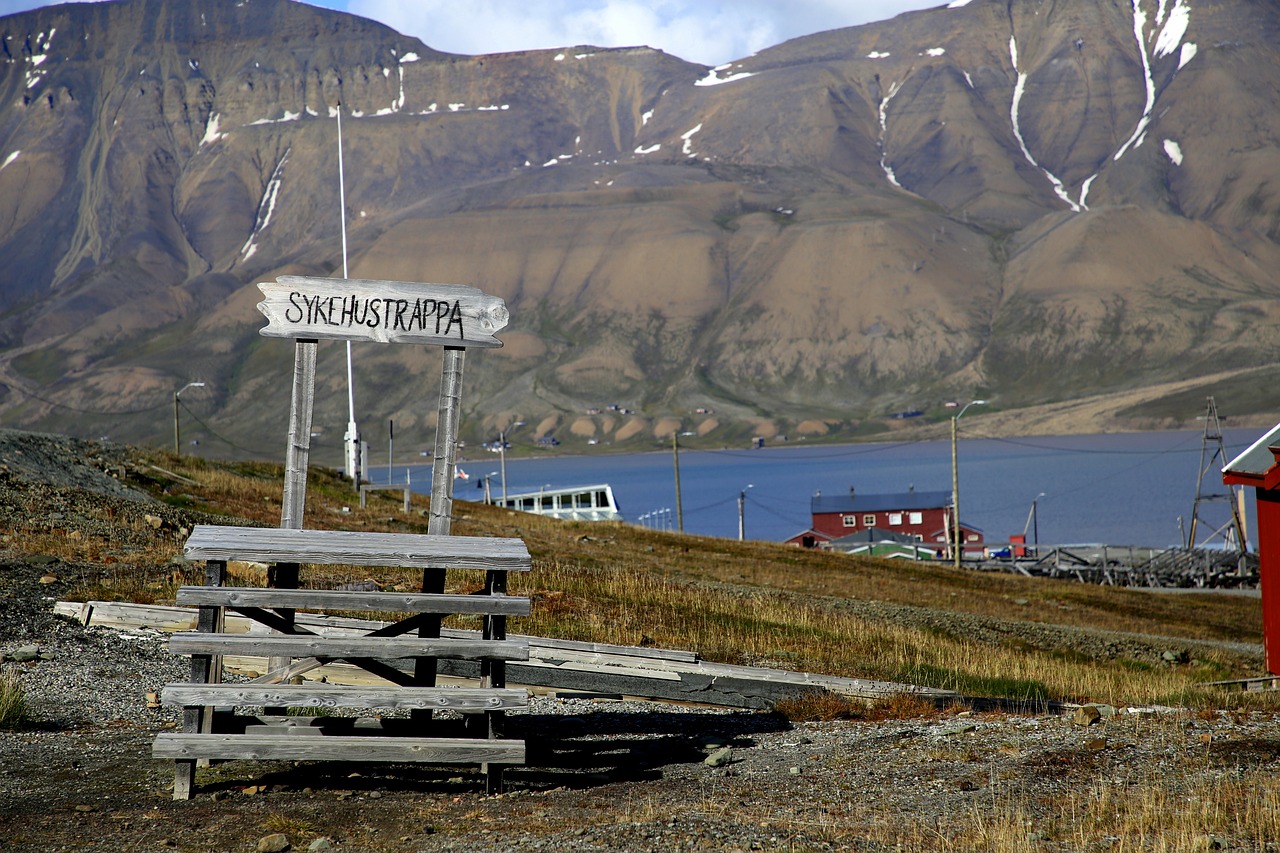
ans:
(1260, 468)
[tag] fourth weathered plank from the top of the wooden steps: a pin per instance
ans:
(330, 696)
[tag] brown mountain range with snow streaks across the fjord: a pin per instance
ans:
(1032, 202)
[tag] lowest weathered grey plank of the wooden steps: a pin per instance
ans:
(255, 747)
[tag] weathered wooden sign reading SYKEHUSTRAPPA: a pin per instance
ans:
(340, 309)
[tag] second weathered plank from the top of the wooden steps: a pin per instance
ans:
(342, 600)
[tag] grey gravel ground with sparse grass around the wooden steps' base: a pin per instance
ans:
(602, 776)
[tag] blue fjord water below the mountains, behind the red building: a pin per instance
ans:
(1127, 489)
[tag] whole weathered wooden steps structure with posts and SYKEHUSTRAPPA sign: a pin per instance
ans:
(406, 654)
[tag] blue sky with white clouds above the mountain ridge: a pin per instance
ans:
(701, 31)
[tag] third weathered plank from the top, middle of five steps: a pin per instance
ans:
(346, 647)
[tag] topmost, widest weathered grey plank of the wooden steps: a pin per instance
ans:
(359, 549)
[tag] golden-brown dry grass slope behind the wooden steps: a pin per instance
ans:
(755, 604)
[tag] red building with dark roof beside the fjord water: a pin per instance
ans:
(925, 517)
